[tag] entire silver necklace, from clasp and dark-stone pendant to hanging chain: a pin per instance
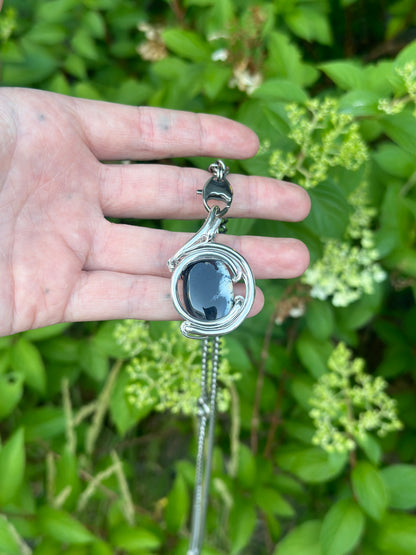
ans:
(202, 289)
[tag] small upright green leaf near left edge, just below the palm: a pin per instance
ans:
(27, 361)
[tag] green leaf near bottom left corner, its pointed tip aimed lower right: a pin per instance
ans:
(62, 527)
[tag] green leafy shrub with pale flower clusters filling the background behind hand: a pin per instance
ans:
(330, 89)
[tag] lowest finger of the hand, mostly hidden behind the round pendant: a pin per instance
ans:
(111, 295)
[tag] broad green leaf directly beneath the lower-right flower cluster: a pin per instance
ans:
(311, 464)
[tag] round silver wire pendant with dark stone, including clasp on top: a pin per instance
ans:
(205, 272)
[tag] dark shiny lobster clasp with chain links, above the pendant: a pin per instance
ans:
(217, 189)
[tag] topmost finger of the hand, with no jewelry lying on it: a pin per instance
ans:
(117, 132)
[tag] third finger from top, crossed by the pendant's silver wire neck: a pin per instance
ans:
(136, 250)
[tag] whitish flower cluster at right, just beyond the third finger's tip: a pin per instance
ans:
(348, 268)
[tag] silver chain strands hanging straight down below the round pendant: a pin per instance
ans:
(206, 414)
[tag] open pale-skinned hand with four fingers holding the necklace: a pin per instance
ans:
(62, 260)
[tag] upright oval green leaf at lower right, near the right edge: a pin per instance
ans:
(369, 489)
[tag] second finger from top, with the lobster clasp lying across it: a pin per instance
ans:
(158, 191)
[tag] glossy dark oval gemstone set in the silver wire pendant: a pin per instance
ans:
(207, 290)
